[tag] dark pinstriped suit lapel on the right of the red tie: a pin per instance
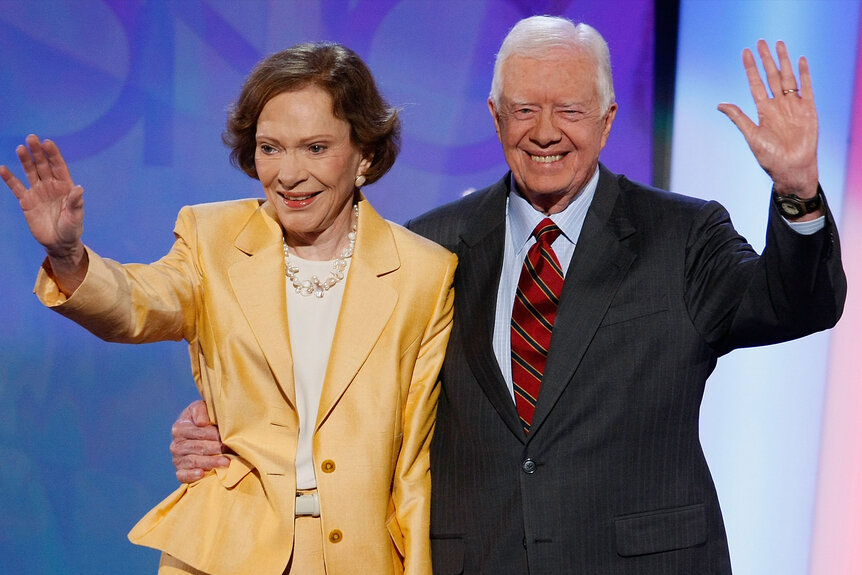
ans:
(603, 255)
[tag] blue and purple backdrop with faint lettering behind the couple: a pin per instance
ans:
(135, 94)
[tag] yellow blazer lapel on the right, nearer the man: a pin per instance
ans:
(365, 310)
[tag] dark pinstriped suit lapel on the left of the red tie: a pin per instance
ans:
(478, 276)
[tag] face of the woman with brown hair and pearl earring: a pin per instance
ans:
(307, 165)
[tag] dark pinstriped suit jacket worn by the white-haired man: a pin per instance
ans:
(612, 478)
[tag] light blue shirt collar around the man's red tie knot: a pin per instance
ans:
(523, 218)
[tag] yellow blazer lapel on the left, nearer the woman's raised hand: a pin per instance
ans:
(259, 285)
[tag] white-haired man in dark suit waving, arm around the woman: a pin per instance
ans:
(589, 312)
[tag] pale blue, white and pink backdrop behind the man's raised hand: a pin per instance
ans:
(780, 425)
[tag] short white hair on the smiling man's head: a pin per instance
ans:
(532, 38)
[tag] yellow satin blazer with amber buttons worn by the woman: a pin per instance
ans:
(222, 288)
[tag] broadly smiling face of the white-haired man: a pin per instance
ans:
(550, 123)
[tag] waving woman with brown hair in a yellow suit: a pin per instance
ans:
(316, 330)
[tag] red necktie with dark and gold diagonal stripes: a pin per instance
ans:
(533, 313)
